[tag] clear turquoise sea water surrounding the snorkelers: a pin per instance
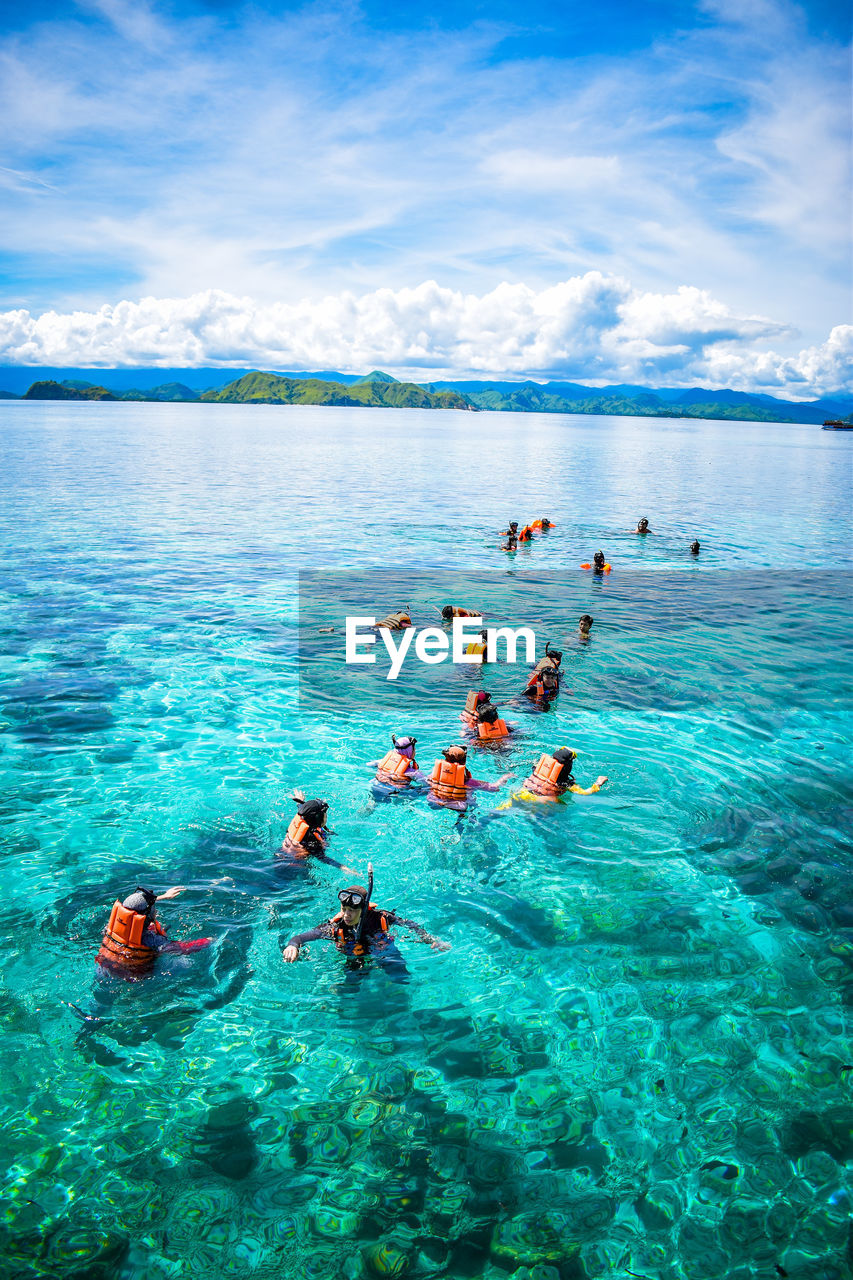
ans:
(633, 1059)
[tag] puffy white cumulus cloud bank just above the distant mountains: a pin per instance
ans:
(592, 328)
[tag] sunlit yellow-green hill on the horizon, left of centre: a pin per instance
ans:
(272, 390)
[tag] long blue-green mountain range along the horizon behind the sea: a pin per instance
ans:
(378, 390)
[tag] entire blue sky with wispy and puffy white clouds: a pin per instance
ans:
(599, 193)
